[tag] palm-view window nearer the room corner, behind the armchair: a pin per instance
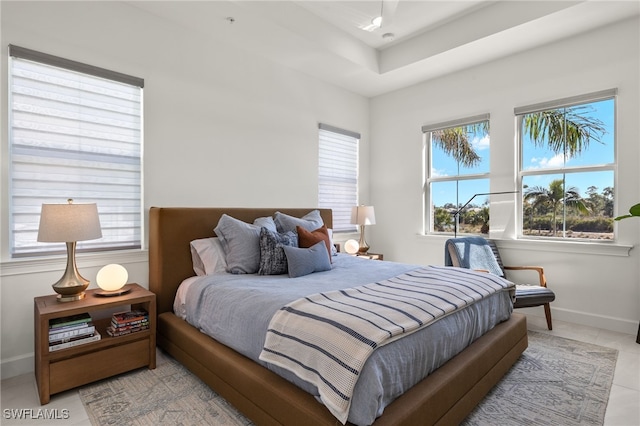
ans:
(457, 172)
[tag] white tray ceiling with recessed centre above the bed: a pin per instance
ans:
(431, 38)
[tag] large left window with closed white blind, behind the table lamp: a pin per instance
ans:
(75, 132)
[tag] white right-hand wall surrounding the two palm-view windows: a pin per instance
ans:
(595, 284)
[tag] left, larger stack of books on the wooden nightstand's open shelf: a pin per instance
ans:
(71, 331)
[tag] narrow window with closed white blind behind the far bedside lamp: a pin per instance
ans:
(338, 174)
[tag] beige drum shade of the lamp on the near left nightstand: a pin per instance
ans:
(66, 223)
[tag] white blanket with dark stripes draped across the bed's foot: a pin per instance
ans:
(326, 338)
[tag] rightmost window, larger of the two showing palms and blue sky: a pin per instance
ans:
(567, 167)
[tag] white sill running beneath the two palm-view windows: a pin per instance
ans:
(555, 246)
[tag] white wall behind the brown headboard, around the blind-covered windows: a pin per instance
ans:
(221, 128)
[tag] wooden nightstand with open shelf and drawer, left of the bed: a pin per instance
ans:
(68, 368)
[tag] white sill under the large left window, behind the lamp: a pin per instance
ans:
(85, 260)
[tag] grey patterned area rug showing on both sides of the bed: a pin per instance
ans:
(555, 382)
